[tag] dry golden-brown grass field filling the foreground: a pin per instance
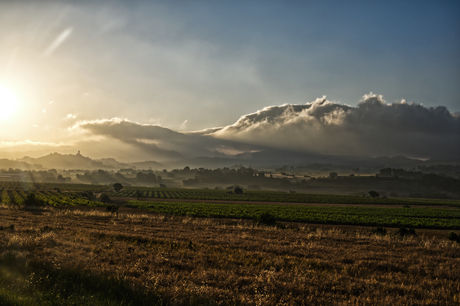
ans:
(136, 258)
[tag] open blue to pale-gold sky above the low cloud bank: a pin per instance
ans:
(192, 65)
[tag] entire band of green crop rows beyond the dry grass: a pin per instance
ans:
(418, 217)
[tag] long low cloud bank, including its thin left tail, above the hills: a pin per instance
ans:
(373, 128)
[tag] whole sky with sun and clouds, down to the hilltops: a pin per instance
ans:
(159, 80)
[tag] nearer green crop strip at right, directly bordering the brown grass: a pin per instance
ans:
(369, 216)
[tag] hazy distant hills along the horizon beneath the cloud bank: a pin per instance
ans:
(264, 158)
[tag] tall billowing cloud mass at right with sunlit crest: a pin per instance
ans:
(372, 128)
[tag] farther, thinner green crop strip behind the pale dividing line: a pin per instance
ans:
(273, 196)
